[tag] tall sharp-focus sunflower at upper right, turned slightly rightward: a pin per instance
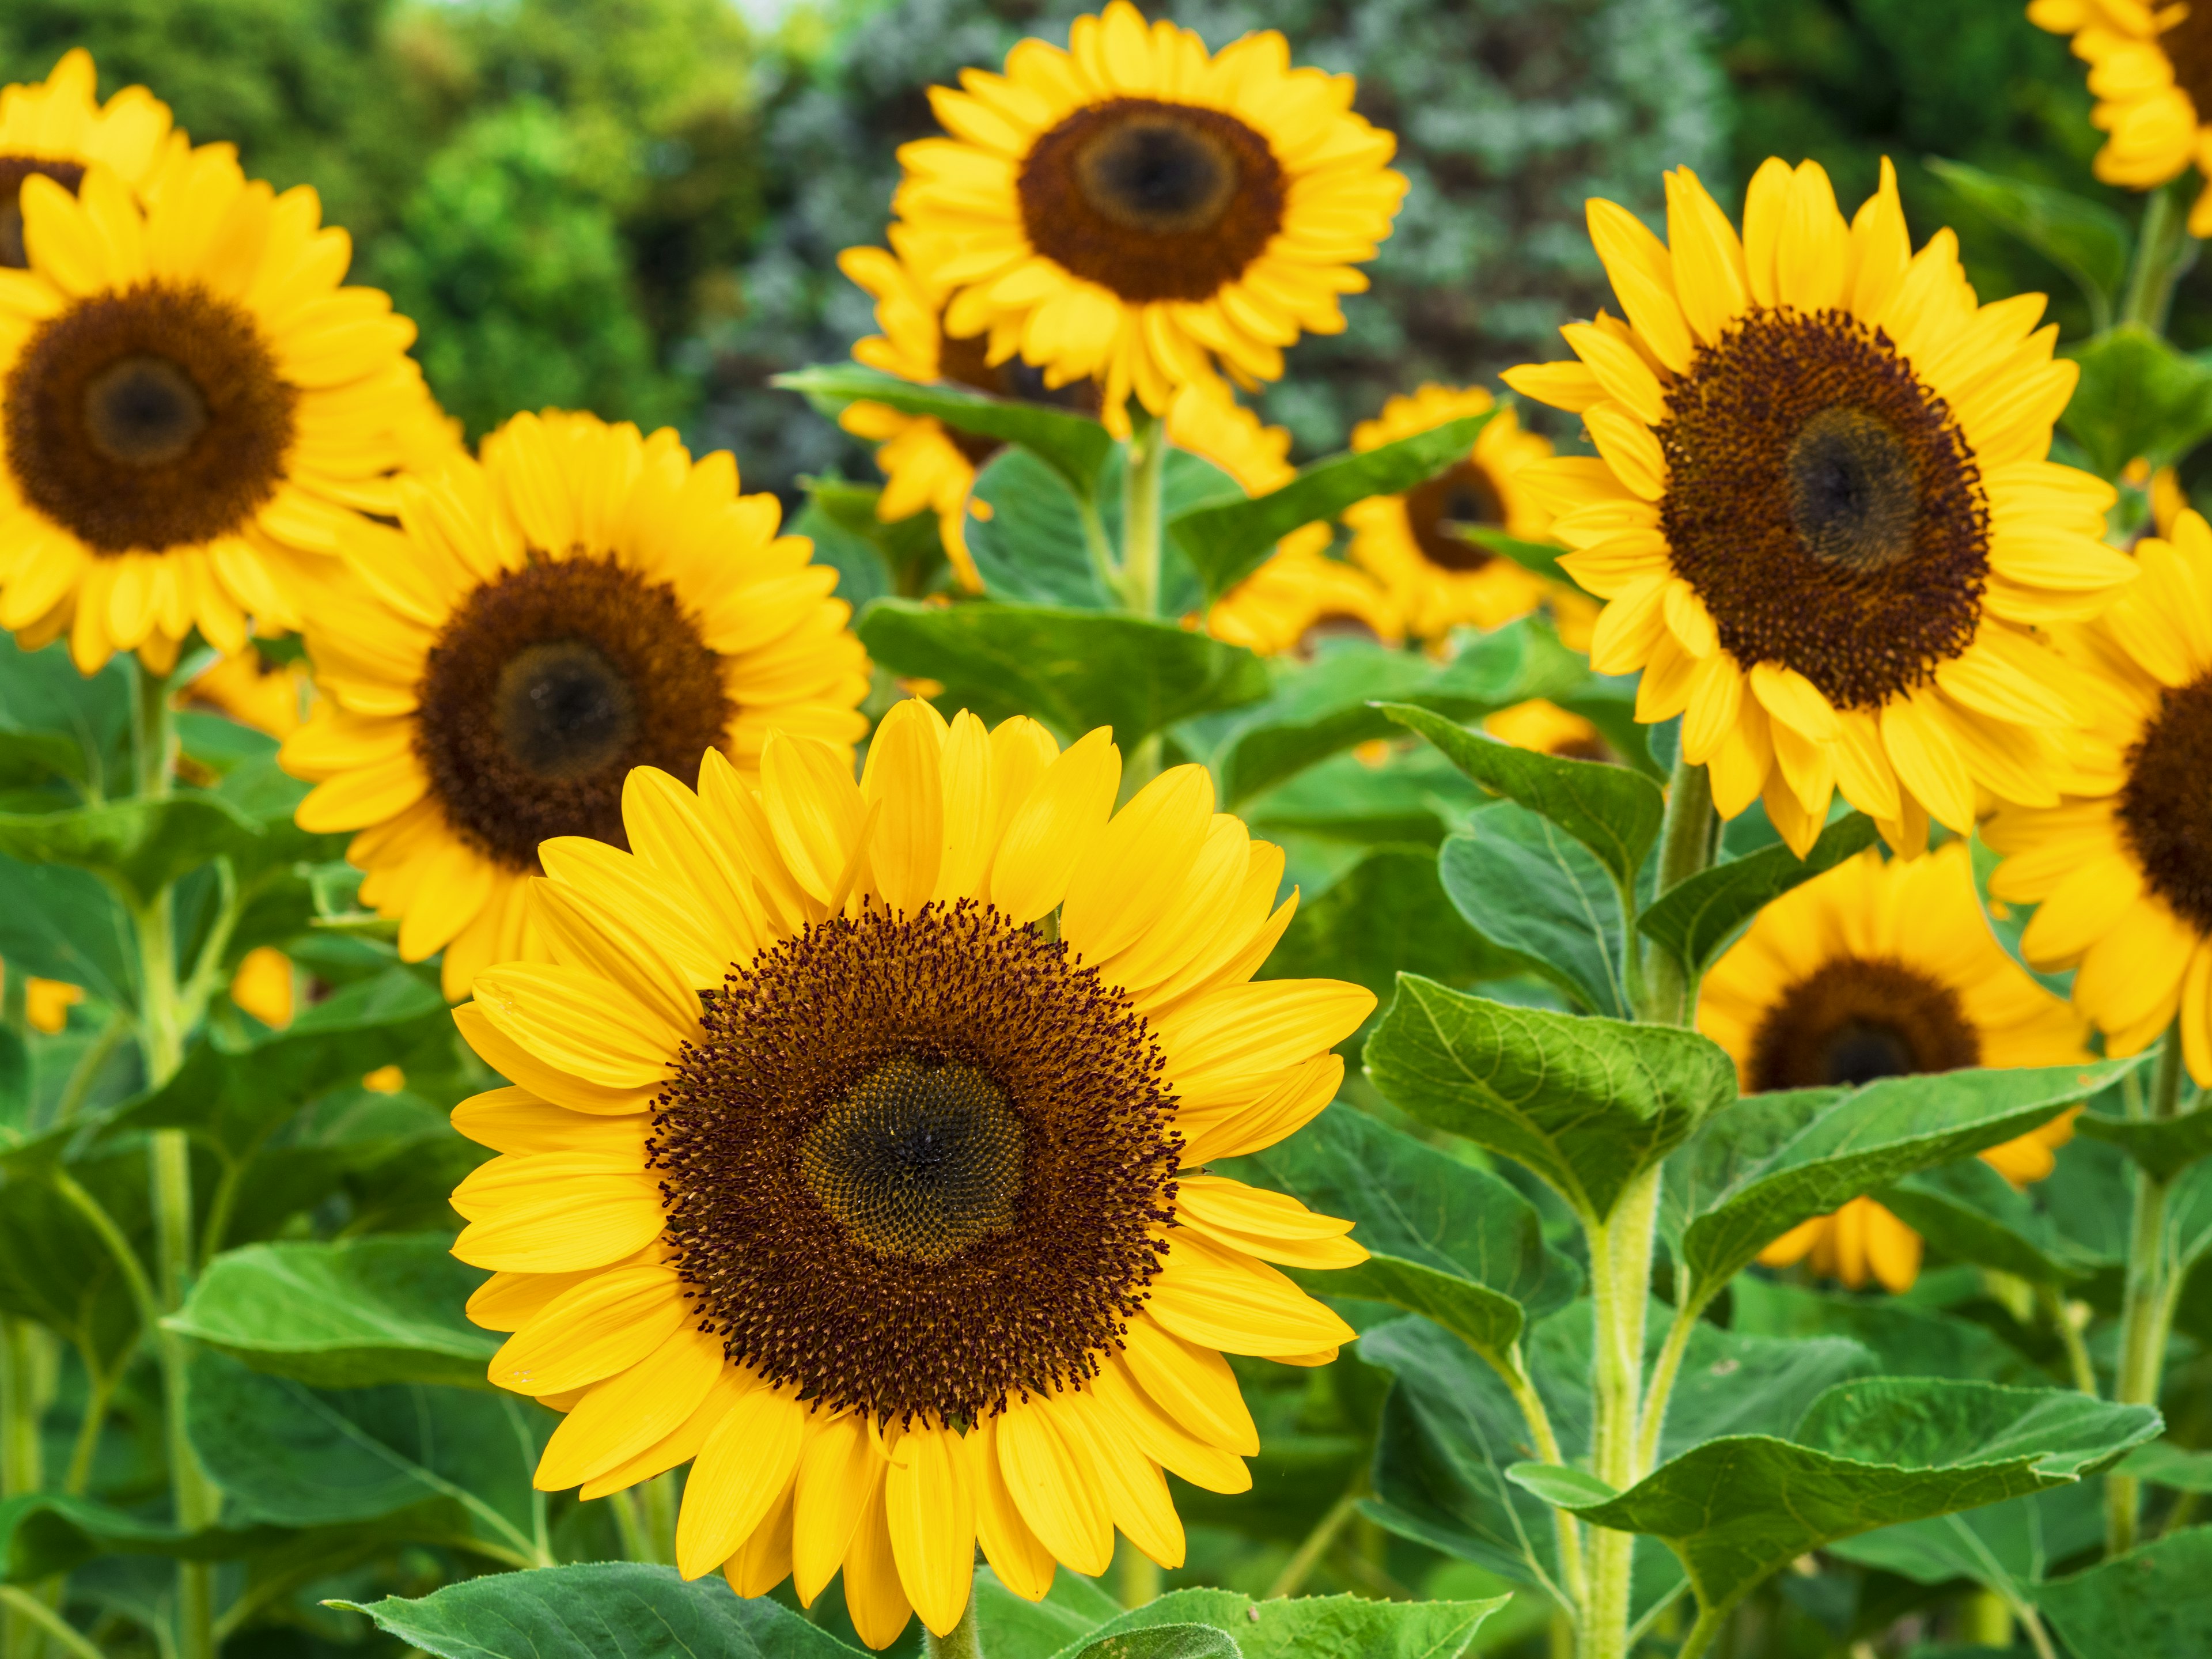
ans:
(1822, 508)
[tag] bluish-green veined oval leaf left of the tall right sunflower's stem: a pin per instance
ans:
(1541, 901)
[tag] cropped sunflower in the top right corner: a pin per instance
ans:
(2151, 70)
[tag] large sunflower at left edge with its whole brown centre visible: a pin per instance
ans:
(194, 410)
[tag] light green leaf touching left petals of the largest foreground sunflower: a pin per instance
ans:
(340, 1315)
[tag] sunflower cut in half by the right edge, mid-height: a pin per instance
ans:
(2122, 873)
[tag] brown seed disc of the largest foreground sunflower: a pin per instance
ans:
(917, 1162)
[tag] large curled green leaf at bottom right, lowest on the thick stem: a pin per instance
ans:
(1868, 1454)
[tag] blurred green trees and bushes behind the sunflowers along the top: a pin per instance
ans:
(634, 205)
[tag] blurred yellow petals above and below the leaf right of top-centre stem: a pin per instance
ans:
(1300, 592)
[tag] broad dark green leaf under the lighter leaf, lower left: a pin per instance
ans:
(298, 1457)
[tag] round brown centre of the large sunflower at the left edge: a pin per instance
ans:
(147, 417)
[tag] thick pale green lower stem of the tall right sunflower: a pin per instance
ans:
(1620, 1293)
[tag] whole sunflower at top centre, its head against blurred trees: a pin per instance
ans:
(1136, 211)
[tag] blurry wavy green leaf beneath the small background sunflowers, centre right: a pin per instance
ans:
(1331, 705)
